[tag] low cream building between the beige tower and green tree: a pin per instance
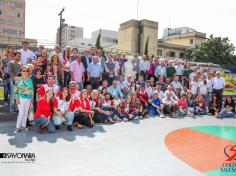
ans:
(190, 39)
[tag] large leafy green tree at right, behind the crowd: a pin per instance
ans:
(215, 50)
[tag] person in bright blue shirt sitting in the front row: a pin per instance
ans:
(155, 107)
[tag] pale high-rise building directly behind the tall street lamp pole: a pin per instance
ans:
(69, 33)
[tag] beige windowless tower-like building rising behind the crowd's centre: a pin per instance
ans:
(133, 35)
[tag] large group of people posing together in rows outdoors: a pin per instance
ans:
(54, 89)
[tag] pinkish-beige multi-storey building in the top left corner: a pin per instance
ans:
(12, 24)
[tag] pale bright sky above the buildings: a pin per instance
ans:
(215, 17)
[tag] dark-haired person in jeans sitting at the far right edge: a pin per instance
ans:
(229, 109)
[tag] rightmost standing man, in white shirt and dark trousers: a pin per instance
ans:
(218, 86)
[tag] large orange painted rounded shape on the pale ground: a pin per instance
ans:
(201, 151)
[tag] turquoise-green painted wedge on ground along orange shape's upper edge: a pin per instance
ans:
(226, 132)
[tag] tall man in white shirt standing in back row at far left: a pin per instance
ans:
(26, 55)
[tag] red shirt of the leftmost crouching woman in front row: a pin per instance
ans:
(43, 108)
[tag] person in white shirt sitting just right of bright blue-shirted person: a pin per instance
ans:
(170, 105)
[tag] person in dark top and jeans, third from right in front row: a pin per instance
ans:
(200, 105)
